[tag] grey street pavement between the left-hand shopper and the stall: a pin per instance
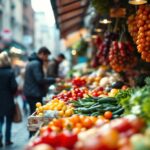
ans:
(20, 135)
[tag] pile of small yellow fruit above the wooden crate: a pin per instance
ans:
(54, 109)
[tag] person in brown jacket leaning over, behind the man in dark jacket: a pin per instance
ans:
(53, 67)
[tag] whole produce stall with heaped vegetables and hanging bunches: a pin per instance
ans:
(107, 105)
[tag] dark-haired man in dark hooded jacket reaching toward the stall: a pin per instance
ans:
(35, 82)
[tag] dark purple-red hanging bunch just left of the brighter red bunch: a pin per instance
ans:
(103, 50)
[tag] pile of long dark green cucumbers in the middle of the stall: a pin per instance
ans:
(95, 106)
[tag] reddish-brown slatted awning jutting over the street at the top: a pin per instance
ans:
(69, 14)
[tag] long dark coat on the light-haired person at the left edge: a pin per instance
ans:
(8, 88)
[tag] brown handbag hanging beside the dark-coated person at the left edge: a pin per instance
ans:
(17, 117)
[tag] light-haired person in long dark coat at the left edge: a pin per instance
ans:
(8, 88)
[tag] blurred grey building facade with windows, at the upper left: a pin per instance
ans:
(17, 17)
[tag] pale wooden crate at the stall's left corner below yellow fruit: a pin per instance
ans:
(35, 122)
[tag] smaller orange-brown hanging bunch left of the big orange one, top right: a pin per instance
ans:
(132, 26)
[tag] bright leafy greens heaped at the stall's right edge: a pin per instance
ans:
(136, 101)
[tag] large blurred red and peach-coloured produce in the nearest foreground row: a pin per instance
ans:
(109, 135)
